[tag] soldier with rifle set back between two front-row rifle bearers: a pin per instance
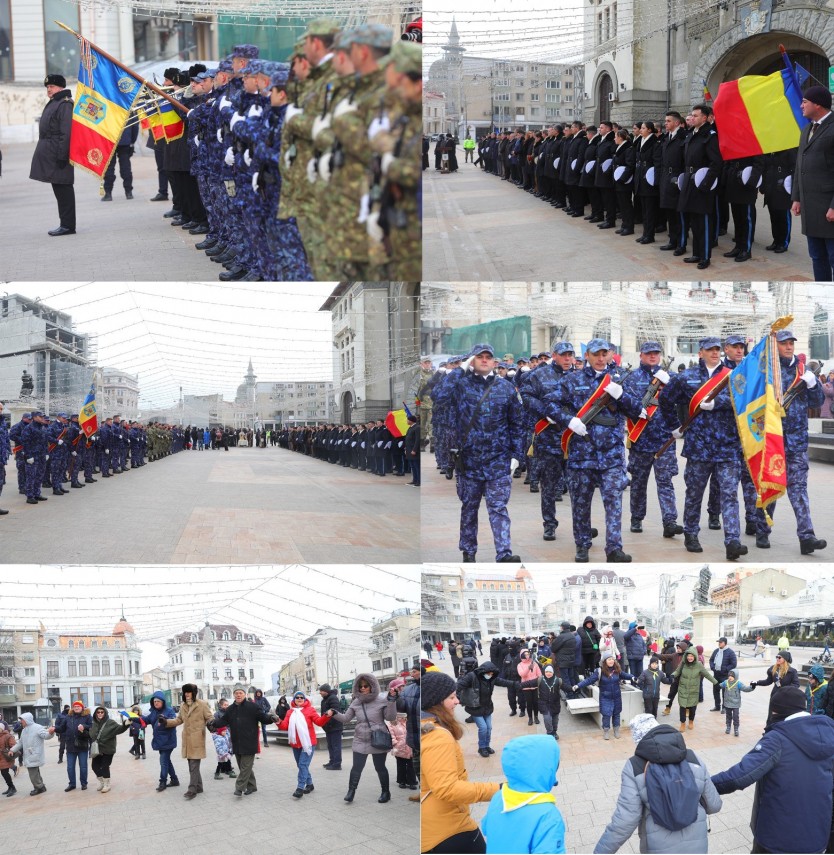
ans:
(646, 437)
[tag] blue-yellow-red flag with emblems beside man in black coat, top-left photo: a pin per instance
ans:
(104, 98)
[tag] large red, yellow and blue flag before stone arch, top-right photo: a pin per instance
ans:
(759, 114)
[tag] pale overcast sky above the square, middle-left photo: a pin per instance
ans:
(198, 336)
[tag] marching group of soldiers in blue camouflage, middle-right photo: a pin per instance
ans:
(575, 425)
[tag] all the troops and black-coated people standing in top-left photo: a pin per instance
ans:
(296, 170)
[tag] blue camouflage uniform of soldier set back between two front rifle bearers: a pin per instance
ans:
(641, 455)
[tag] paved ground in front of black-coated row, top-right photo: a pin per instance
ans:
(478, 228)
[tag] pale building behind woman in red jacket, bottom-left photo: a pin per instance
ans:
(328, 656)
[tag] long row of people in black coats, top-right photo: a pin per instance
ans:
(669, 177)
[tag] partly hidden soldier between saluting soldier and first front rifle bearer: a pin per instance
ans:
(540, 384)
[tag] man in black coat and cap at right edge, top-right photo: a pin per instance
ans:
(813, 184)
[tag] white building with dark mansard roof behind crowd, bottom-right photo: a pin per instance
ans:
(603, 594)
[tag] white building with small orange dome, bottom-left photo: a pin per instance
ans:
(97, 668)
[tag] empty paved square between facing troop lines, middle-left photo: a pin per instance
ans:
(244, 506)
